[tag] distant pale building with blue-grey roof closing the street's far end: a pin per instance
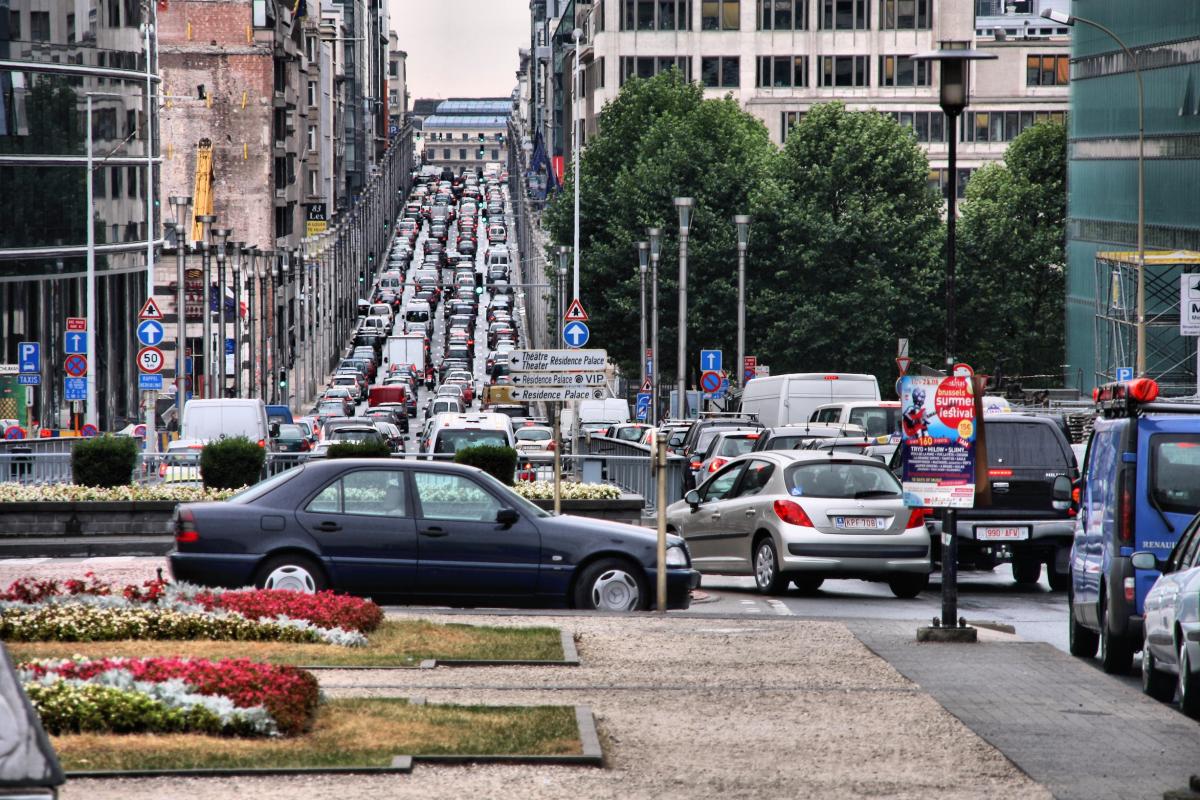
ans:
(465, 134)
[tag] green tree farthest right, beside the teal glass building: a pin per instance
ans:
(1011, 282)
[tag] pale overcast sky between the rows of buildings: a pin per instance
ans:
(461, 49)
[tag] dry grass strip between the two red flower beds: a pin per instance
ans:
(397, 643)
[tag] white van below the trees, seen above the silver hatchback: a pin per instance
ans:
(785, 400)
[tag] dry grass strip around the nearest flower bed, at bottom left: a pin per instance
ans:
(356, 732)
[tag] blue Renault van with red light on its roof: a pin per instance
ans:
(1141, 489)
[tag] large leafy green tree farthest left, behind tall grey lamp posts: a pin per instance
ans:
(657, 141)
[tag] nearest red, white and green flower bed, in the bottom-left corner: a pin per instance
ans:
(233, 697)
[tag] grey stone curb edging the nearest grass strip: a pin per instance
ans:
(585, 721)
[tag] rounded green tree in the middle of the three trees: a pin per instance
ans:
(845, 250)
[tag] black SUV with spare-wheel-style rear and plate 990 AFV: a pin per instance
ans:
(1031, 519)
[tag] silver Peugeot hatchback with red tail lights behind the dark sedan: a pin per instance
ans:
(802, 518)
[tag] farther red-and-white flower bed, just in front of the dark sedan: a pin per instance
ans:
(92, 611)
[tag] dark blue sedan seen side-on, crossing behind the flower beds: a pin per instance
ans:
(421, 531)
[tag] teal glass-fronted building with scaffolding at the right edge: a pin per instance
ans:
(1102, 230)
